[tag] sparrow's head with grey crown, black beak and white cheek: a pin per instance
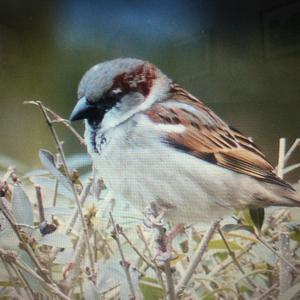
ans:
(117, 88)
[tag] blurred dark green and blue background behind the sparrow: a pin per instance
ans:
(240, 57)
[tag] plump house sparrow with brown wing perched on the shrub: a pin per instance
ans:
(153, 142)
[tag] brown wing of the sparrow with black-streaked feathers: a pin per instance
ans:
(209, 138)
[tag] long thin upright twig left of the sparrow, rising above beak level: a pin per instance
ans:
(62, 155)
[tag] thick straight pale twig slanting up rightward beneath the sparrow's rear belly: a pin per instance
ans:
(197, 257)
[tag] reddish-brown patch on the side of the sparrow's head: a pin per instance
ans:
(138, 80)
